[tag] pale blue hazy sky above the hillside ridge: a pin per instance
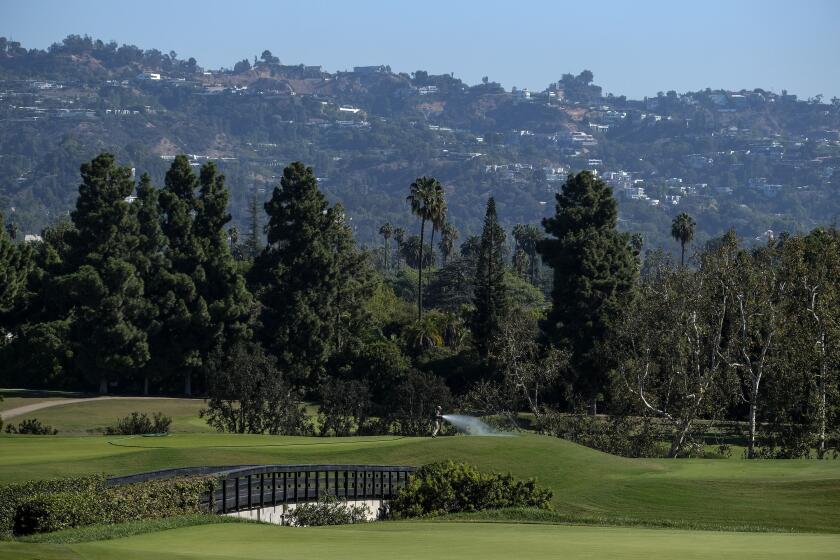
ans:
(634, 47)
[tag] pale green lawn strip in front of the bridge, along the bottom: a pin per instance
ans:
(461, 541)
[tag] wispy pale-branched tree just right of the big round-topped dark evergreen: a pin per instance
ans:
(671, 345)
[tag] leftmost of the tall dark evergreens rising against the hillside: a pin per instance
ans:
(103, 289)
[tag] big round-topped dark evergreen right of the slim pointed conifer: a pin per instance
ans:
(594, 270)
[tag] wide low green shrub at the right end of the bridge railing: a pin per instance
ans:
(450, 487)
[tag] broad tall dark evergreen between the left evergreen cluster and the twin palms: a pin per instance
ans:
(297, 275)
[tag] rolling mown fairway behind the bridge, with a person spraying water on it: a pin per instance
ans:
(694, 493)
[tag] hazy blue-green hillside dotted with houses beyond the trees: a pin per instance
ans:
(754, 160)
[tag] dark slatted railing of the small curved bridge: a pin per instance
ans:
(271, 485)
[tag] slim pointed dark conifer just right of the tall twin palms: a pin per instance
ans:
(489, 295)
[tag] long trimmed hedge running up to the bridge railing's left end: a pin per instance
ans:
(52, 511)
